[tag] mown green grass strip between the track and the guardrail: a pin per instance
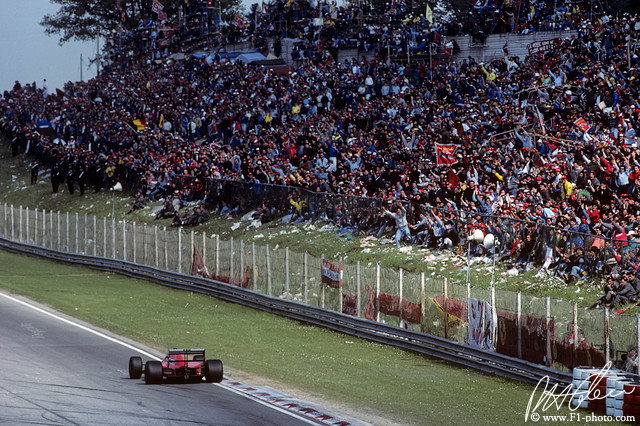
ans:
(392, 385)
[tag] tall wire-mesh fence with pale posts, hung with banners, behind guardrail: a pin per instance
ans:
(539, 330)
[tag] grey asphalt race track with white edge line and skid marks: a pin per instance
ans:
(55, 370)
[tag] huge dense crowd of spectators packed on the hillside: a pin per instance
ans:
(545, 147)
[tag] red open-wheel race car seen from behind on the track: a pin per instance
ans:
(185, 364)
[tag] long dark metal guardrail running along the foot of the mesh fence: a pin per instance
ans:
(489, 362)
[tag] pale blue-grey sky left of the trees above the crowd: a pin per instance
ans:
(28, 55)
